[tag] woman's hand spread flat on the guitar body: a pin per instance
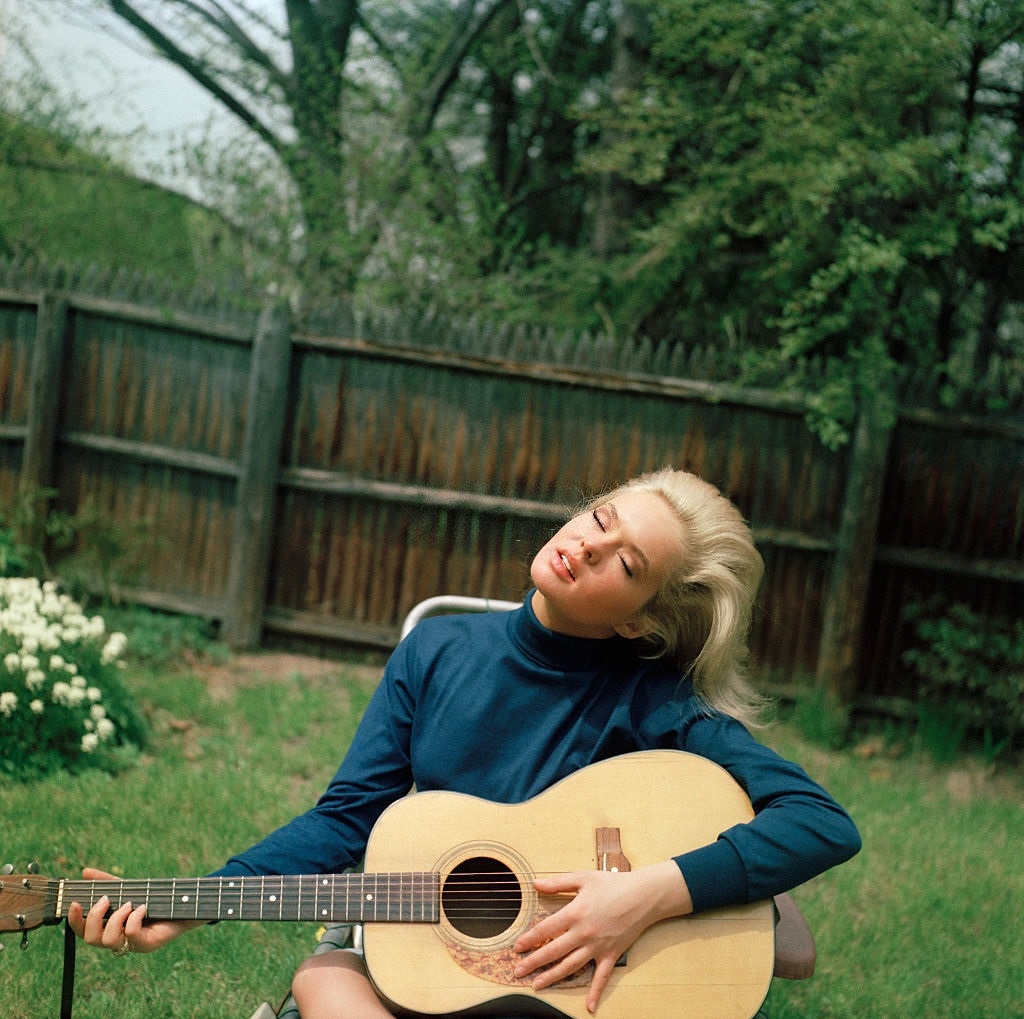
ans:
(609, 912)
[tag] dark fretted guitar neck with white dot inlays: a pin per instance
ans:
(328, 899)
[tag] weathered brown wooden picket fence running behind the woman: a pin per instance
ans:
(319, 481)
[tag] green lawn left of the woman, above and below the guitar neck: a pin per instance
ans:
(231, 760)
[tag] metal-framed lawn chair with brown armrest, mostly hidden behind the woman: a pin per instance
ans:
(795, 949)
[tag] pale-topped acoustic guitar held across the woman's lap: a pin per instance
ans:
(448, 888)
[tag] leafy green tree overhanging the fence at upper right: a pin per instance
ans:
(834, 182)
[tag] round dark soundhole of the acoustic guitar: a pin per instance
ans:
(482, 898)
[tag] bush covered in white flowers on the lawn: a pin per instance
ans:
(62, 701)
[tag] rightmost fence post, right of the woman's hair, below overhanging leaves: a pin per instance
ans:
(843, 621)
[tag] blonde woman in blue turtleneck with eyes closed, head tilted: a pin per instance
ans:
(633, 638)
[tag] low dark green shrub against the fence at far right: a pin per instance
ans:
(970, 670)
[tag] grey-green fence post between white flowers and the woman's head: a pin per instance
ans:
(255, 499)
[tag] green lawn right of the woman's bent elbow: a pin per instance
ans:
(924, 922)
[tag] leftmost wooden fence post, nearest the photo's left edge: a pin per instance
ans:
(44, 408)
